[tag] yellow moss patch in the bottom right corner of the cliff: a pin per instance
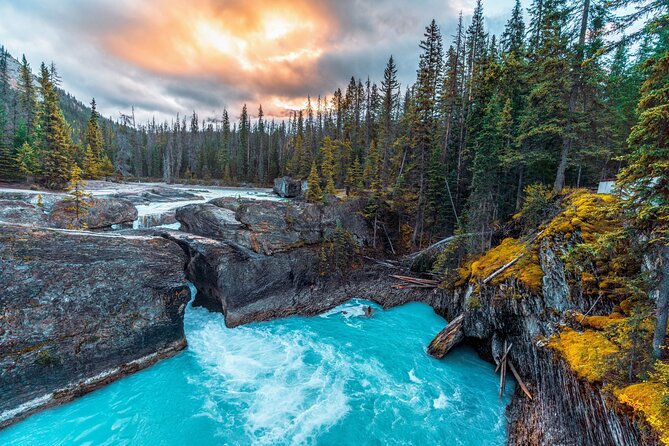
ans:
(646, 399)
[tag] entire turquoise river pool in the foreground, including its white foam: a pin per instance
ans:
(336, 379)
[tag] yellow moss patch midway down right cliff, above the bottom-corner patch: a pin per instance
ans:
(585, 352)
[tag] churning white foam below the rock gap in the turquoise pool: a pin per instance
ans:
(283, 395)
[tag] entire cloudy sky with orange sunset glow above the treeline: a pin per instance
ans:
(169, 56)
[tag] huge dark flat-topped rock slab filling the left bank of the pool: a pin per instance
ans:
(79, 310)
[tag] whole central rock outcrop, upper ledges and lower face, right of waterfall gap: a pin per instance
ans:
(262, 260)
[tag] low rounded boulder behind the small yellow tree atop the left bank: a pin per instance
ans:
(102, 213)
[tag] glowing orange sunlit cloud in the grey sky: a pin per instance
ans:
(258, 43)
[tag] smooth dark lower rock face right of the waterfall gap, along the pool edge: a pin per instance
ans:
(248, 286)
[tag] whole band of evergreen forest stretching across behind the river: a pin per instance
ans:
(551, 100)
